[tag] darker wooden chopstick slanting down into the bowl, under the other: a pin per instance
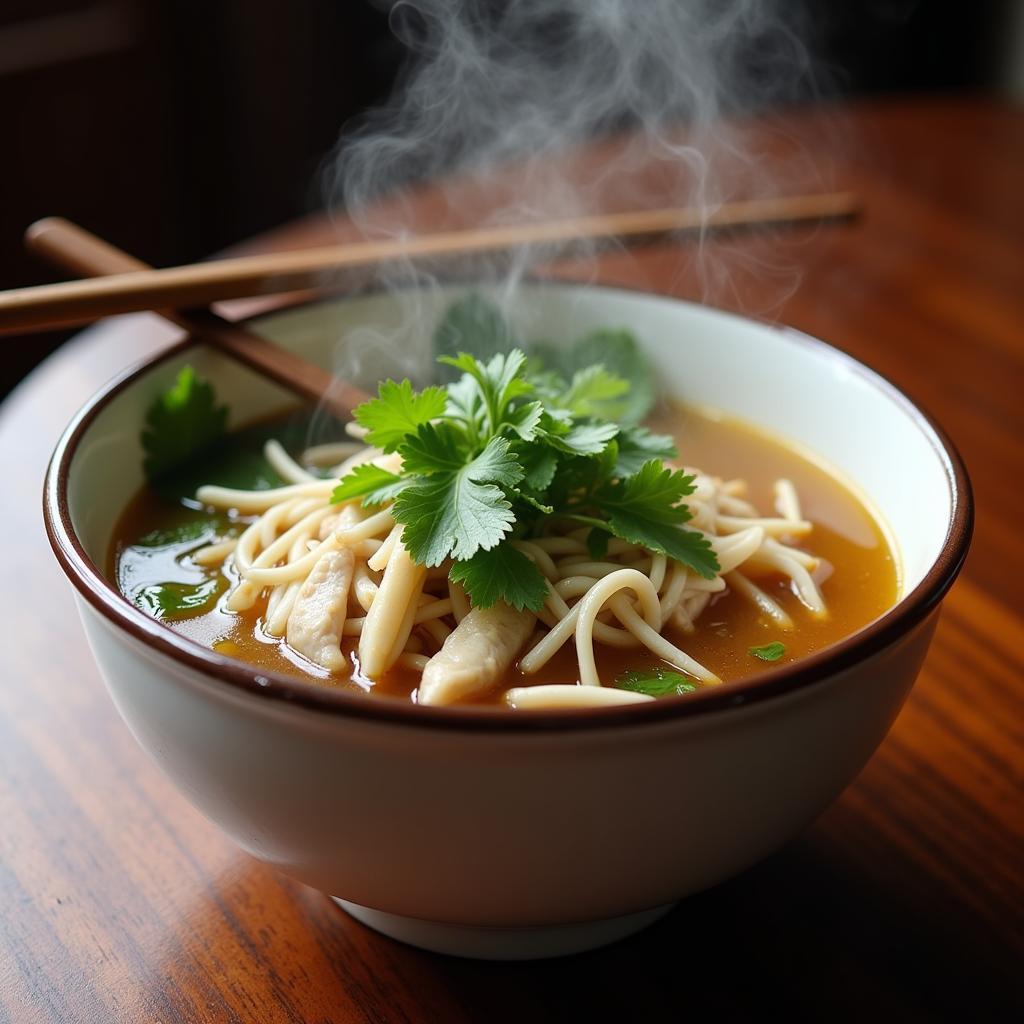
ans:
(75, 249)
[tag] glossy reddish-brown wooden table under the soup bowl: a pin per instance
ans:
(906, 901)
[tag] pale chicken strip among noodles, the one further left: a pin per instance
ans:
(319, 615)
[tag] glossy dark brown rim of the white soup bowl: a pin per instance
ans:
(91, 582)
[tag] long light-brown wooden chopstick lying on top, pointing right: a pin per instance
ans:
(199, 285)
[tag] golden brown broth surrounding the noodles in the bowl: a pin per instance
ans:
(859, 578)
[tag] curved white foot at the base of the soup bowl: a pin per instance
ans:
(503, 944)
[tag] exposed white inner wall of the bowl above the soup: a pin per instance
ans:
(773, 377)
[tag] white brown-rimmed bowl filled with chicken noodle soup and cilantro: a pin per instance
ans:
(519, 702)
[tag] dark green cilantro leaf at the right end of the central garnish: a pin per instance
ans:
(646, 509)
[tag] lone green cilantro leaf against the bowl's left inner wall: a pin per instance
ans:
(182, 422)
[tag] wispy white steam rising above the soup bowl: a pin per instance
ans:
(497, 98)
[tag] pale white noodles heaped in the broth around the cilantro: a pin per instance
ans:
(401, 612)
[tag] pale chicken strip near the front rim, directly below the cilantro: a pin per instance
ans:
(481, 649)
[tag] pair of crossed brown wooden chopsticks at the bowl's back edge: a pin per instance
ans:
(122, 284)
